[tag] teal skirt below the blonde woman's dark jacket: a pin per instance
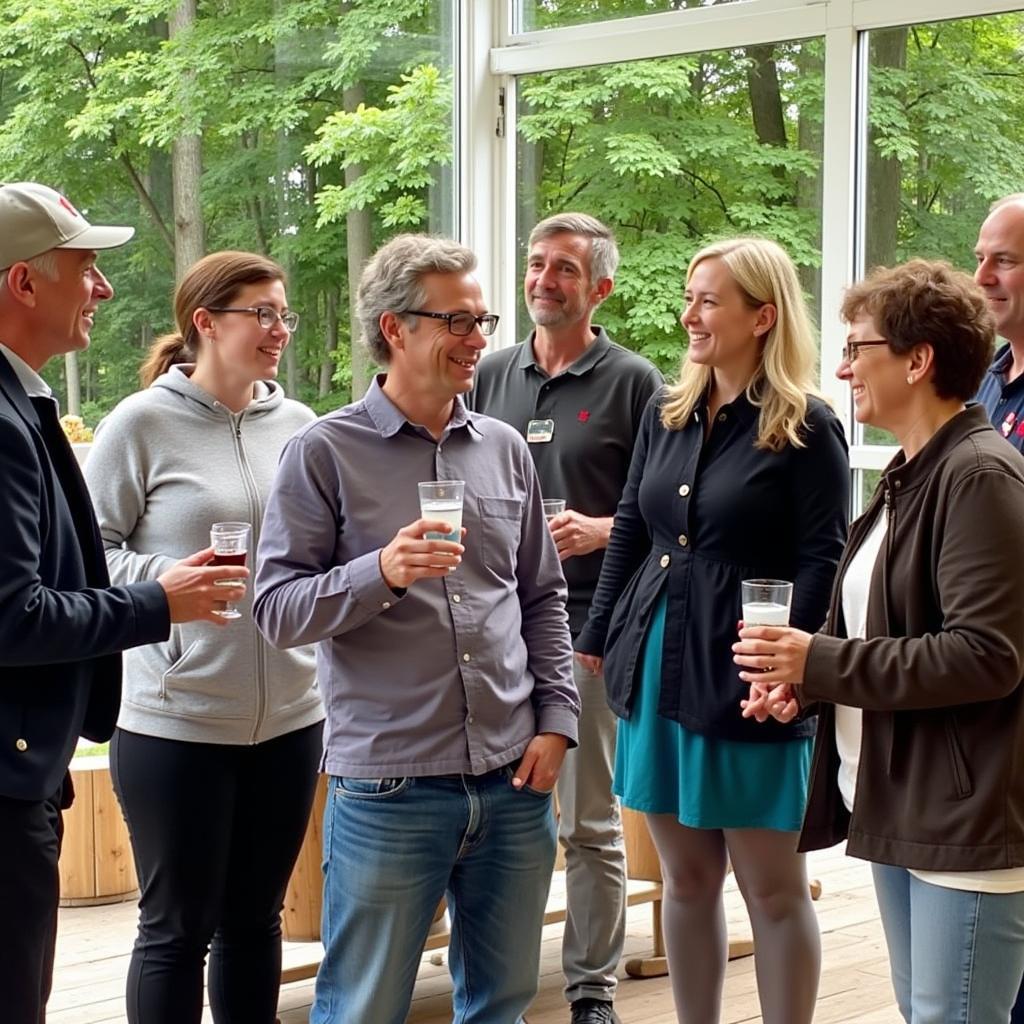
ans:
(664, 769)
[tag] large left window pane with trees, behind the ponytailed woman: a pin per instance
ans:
(324, 130)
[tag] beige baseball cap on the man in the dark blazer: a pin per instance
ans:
(35, 219)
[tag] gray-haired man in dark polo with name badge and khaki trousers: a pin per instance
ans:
(578, 397)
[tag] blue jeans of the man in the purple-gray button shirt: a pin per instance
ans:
(393, 848)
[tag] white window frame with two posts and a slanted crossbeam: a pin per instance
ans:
(493, 56)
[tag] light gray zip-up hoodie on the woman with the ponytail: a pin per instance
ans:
(167, 463)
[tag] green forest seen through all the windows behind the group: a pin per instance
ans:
(313, 131)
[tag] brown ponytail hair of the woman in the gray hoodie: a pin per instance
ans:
(214, 281)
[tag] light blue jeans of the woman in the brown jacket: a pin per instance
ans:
(957, 958)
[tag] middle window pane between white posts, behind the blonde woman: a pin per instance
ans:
(672, 154)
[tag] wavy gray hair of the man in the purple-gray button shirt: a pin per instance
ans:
(393, 282)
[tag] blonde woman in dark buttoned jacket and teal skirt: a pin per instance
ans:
(739, 472)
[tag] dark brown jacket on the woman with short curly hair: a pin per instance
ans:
(941, 784)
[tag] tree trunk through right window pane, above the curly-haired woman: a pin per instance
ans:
(888, 50)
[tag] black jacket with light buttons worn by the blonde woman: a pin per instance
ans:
(697, 519)
